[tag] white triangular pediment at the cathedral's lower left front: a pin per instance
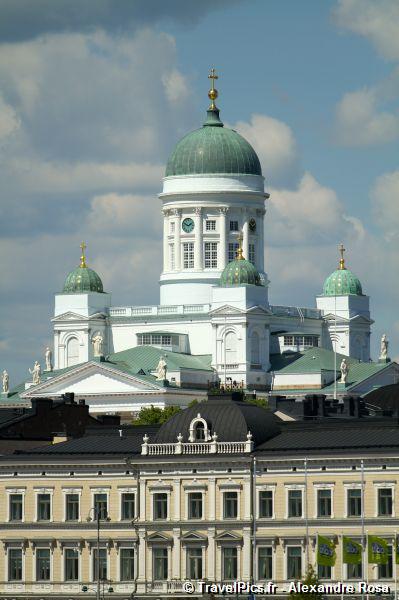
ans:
(91, 379)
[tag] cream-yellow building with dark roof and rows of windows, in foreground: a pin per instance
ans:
(221, 492)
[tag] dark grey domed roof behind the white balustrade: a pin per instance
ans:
(230, 419)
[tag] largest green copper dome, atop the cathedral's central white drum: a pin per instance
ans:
(213, 149)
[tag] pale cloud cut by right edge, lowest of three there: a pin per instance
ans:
(385, 203)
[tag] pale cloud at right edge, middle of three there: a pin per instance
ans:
(359, 121)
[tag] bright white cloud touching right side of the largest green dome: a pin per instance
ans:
(275, 145)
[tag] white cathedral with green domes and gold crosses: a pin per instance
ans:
(214, 321)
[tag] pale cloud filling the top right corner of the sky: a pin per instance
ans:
(376, 21)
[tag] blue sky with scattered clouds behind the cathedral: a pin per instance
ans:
(93, 100)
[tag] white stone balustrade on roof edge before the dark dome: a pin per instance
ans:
(210, 447)
